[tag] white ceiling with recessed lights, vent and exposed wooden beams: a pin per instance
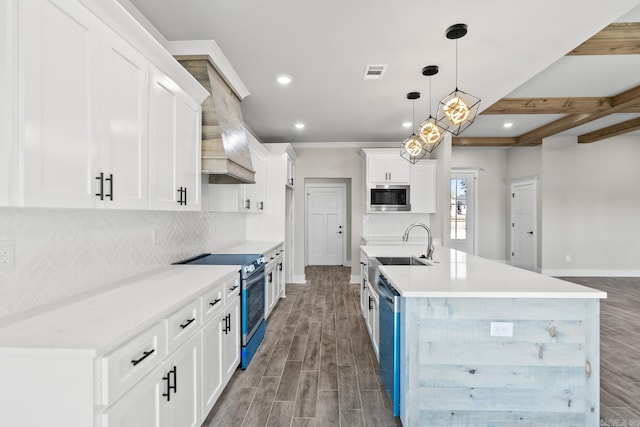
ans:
(509, 52)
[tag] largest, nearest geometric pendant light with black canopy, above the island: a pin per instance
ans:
(458, 110)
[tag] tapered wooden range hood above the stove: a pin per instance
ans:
(225, 149)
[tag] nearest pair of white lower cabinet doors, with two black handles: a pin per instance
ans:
(169, 396)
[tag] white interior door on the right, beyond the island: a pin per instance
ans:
(523, 225)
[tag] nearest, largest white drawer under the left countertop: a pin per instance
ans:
(125, 366)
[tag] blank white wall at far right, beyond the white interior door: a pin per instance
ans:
(591, 207)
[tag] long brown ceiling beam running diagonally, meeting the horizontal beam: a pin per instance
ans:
(619, 103)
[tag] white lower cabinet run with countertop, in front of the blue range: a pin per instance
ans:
(167, 375)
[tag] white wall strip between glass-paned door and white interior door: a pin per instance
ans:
(492, 191)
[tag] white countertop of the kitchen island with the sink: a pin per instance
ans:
(459, 275)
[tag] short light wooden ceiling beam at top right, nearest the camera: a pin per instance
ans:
(619, 38)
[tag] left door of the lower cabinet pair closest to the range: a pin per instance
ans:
(212, 348)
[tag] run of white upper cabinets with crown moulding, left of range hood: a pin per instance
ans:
(76, 115)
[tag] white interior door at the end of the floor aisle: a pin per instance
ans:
(325, 224)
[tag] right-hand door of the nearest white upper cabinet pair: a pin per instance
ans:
(124, 137)
